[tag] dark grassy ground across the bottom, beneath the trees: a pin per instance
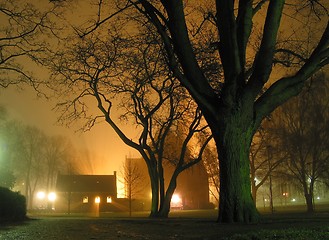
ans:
(182, 225)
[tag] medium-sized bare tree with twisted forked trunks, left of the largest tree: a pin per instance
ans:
(132, 76)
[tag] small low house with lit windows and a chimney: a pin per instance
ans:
(86, 193)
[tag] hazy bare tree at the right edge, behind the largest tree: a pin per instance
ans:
(303, 127)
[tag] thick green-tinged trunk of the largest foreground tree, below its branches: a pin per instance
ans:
(233, 138)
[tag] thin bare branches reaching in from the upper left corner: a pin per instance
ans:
(24, 25)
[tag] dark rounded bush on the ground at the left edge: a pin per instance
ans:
(12, 205)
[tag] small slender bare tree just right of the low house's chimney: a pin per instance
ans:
(133, 179)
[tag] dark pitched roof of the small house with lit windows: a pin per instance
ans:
(86, 183)
